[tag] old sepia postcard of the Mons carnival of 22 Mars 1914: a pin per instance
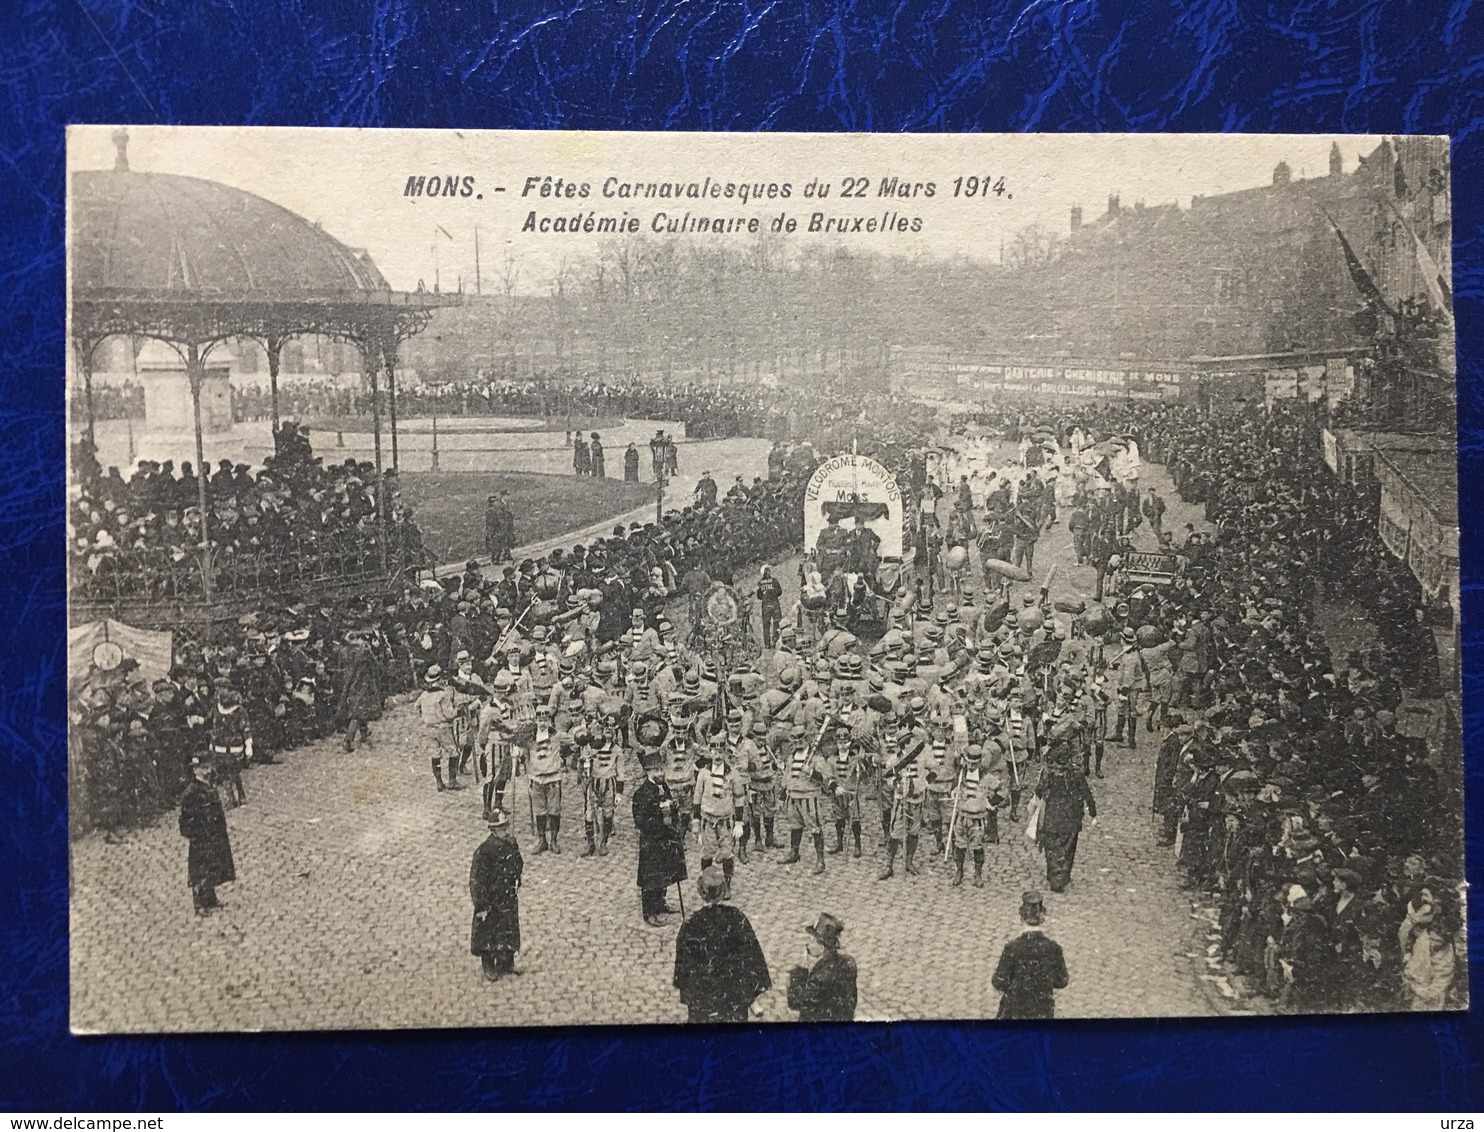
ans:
(532, 579)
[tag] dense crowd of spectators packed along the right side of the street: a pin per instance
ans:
(1327, 839)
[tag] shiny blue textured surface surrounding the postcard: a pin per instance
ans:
(682, 65)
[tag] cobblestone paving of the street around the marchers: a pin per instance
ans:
(352, 907)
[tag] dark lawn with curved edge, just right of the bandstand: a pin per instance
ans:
(450, 507)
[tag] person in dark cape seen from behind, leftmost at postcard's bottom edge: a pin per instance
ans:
(719, 964)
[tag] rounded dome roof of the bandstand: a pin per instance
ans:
(140, 235)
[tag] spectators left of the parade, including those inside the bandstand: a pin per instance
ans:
(133, 743)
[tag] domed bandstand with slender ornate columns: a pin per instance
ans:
(195, 265)
